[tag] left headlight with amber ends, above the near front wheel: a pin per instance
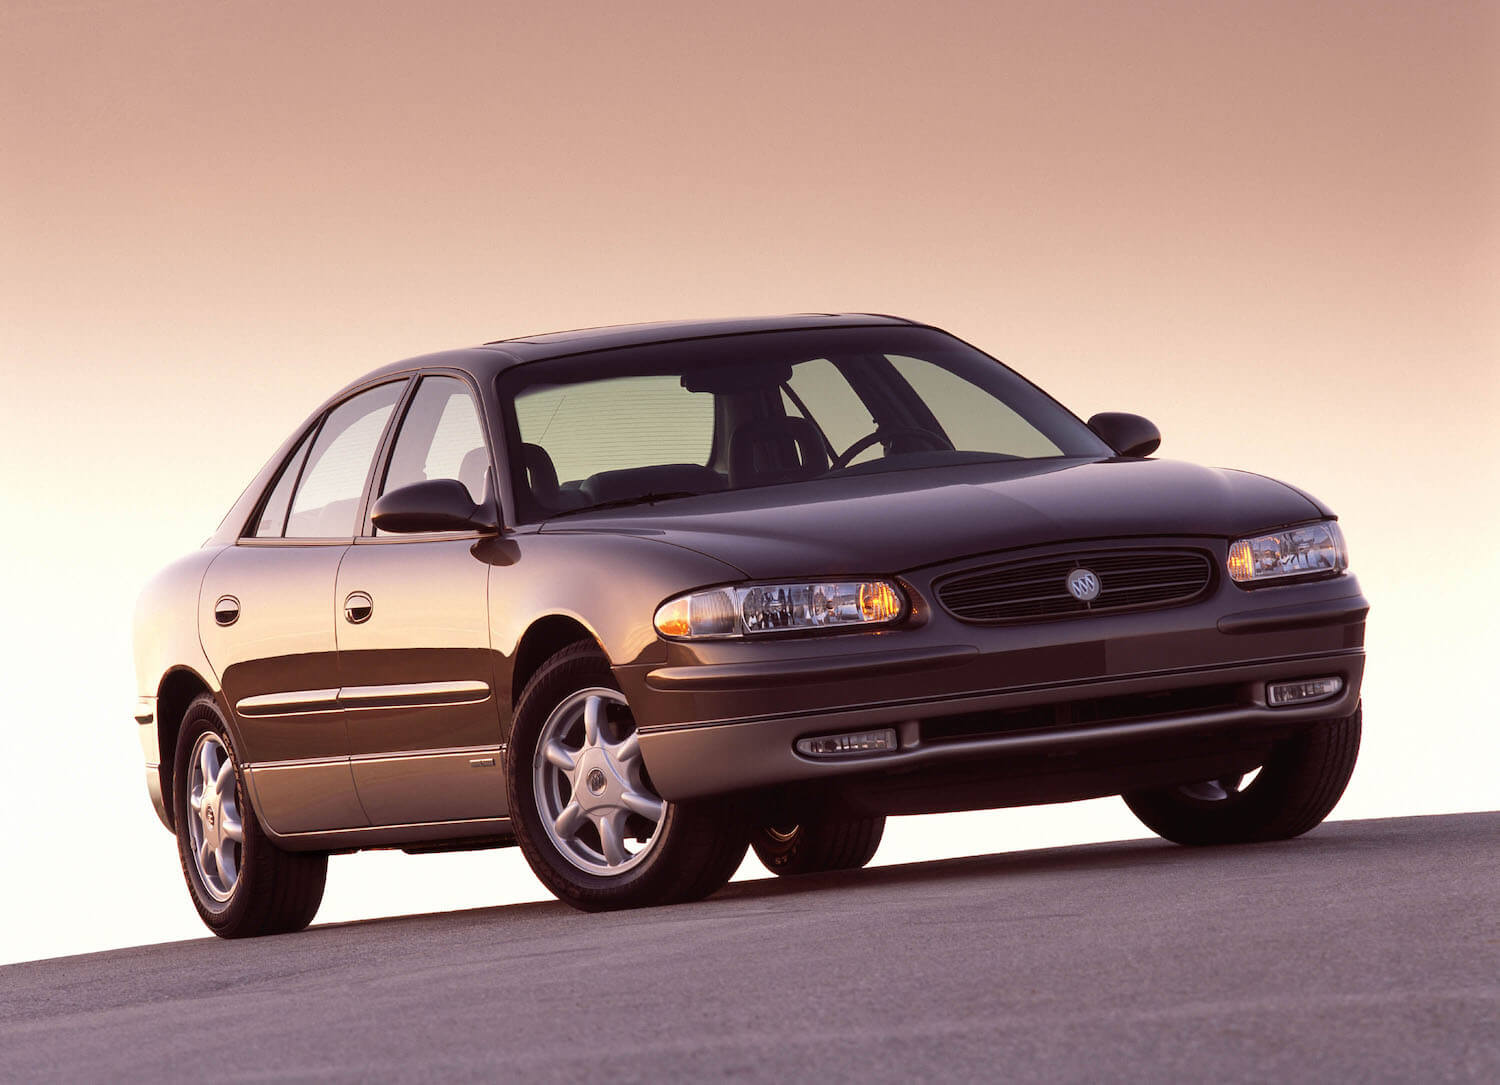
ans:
(781, 609)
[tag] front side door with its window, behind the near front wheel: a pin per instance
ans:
(413, 633)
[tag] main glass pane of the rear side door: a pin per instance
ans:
(334, 481)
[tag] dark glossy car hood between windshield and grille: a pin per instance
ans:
(896, 521)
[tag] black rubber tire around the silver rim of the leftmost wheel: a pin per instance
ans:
(277, 892)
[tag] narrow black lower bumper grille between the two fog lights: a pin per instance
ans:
(1081, 714)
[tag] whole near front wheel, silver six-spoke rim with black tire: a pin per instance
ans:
(583, 805)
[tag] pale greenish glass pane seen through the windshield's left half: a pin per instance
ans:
(617, 424)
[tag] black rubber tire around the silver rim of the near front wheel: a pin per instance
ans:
(697, 852)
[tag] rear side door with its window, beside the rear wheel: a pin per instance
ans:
(268, 622)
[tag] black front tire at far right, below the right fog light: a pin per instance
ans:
(1295, 790)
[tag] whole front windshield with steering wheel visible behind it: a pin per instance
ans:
(767, 410)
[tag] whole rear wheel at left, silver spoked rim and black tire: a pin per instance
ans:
(242, 885)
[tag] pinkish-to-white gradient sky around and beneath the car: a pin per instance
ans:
(1271, 227)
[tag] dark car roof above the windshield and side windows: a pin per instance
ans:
(499, 355)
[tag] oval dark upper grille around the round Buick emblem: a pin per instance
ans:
(1039, 588)
